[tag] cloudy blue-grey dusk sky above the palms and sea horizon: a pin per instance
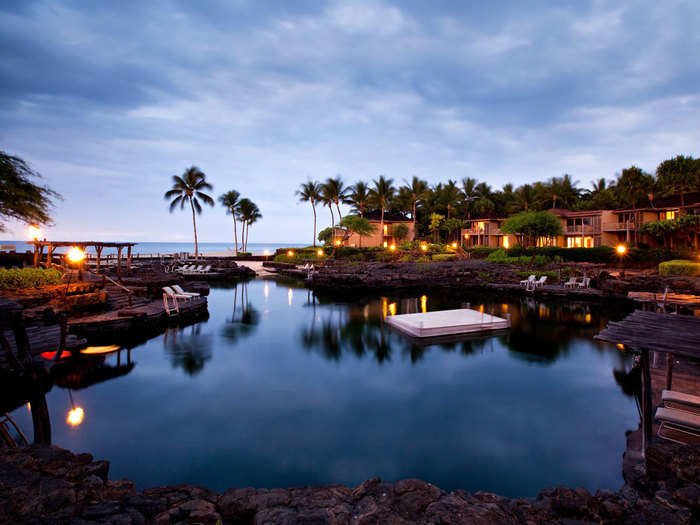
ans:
(108, 100)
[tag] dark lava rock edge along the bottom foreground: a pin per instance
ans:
(50, 485)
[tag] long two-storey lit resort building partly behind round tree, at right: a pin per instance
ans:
(593, 228)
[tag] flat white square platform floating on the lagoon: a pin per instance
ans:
(447, 322)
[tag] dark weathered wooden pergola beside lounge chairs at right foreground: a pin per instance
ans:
(671, 334)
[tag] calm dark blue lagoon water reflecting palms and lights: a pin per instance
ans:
(297, 390)
